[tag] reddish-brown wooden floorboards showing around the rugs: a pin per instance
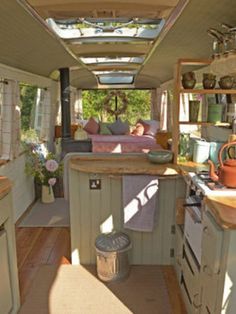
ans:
(51, 246)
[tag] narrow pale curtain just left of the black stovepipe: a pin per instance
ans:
(45, 129)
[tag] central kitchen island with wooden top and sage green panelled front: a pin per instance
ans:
(101, 208)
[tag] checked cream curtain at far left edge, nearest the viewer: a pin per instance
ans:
(10, 125)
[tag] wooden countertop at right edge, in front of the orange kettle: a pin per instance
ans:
(223, 209)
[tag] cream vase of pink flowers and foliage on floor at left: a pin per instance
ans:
(45, 168)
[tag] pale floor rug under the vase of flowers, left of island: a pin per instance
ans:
(48, 215)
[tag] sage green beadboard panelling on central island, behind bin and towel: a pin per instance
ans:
(92, 209)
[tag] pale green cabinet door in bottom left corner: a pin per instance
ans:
(5, 286)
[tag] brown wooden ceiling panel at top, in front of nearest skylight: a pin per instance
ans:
(65, 9)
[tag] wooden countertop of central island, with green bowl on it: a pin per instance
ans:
(122, 164)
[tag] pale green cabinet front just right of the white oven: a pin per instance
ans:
(212, 239)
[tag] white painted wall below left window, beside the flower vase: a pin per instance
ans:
(23, 186)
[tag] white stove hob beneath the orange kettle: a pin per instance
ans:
(205, 185)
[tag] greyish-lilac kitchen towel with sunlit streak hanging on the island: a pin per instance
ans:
(139, 201)
